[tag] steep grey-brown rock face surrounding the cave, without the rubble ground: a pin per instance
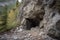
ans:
(42, 13)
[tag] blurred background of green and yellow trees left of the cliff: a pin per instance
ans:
(8, 14)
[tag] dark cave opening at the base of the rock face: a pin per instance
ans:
(30, 23)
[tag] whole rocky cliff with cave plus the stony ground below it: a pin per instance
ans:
(40, 18)
